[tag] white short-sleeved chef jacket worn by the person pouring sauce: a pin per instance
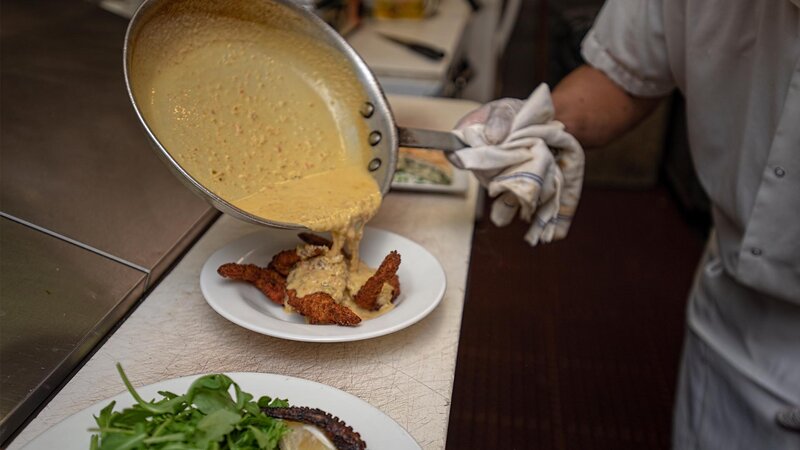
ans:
(738, 64)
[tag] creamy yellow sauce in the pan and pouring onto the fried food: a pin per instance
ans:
(266, 119)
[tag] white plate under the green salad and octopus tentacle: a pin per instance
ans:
(377, 429)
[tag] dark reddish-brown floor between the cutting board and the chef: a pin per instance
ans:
(575, 344)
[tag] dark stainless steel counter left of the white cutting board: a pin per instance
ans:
(91, 218)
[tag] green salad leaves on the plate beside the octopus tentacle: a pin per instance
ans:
(206, 417)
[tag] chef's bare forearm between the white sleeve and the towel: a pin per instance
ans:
(596, 110)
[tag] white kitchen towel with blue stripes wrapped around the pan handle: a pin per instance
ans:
(536, 170)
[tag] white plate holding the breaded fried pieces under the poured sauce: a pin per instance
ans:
(422, 284)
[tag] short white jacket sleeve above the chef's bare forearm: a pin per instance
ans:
(628, 44)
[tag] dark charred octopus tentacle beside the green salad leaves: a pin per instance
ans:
(342, 435)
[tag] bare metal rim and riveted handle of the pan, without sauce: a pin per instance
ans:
(383, 135)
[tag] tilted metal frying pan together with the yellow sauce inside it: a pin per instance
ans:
(265, 111)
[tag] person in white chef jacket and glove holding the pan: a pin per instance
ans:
(737, 63)
